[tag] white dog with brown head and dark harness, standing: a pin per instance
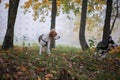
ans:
(45, 40)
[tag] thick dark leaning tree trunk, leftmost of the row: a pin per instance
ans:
(8, 40)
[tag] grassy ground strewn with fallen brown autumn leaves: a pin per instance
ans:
(65, 63)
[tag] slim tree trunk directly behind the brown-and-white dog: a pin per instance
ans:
(53, 20)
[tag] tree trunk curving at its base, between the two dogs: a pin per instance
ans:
(82, 39)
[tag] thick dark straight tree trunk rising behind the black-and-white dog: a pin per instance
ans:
(106, 29)
